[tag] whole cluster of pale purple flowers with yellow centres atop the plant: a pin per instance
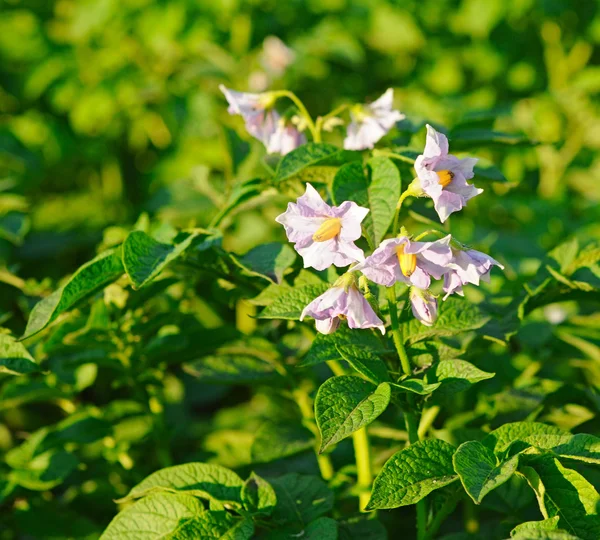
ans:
(325, 235)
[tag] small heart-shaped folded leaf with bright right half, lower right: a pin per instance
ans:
(479, 470)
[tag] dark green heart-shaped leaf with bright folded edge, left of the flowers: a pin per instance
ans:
(145, 258)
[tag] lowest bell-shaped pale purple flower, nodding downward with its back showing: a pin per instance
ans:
(342, 302)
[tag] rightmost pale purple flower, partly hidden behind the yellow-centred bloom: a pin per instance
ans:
(467, 266)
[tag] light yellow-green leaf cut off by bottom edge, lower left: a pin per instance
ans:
(157, 516)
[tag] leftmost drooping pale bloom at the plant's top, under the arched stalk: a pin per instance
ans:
(262, 121)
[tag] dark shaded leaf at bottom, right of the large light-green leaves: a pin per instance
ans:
(300, 499)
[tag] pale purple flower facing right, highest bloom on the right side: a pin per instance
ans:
(443, 176)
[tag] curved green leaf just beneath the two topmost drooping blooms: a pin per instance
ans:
(308, 155)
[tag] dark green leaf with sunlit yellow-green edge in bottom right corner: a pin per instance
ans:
(564, 493)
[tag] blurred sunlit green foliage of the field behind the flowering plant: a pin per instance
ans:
(112, 121)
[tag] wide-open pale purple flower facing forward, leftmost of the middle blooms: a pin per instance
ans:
(323, 235)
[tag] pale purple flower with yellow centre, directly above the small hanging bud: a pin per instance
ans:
(413, 263)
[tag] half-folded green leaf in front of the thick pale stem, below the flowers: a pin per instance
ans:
(346, 404)
